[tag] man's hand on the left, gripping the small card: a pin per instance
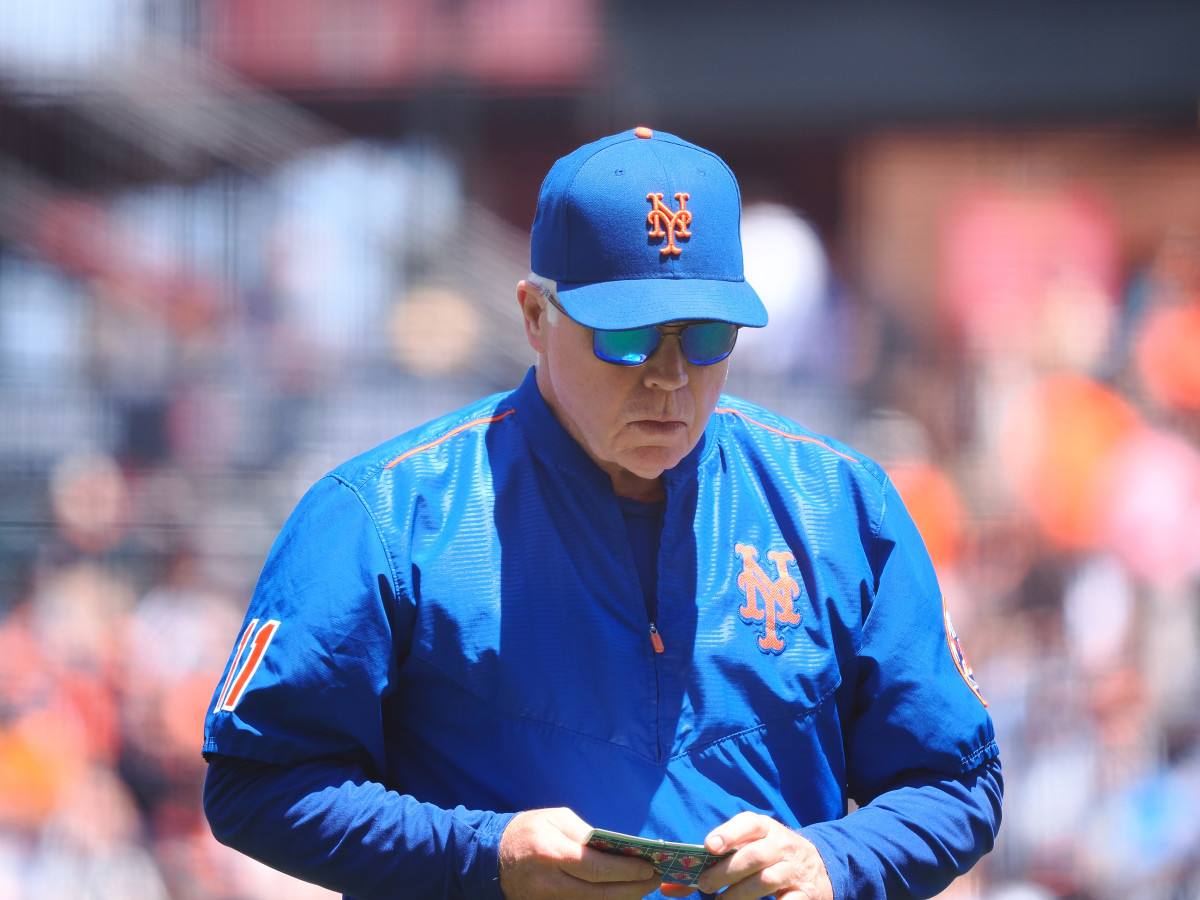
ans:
(543, 855)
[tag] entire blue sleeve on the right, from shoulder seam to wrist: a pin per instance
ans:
(922, 760)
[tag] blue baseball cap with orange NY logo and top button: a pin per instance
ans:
(641, 229)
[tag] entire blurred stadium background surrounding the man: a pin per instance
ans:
(242, 241)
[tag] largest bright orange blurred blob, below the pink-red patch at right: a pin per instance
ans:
(1059, 445)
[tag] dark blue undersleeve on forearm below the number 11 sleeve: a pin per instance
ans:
(326, 823)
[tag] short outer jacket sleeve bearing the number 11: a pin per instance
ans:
(326, 631)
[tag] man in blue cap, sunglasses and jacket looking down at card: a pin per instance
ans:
(613, 598)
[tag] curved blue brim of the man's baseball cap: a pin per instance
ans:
(613, 305)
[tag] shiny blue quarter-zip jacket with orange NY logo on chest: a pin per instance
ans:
(457, 616)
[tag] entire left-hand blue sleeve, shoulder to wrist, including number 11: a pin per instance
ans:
(295, 734)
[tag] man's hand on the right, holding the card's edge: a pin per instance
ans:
(770, 860)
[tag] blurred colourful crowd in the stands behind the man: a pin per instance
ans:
(177, 364)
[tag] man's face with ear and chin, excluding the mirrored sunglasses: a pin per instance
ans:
(634, 422)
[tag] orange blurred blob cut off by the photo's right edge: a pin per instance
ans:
(1168, 358)
